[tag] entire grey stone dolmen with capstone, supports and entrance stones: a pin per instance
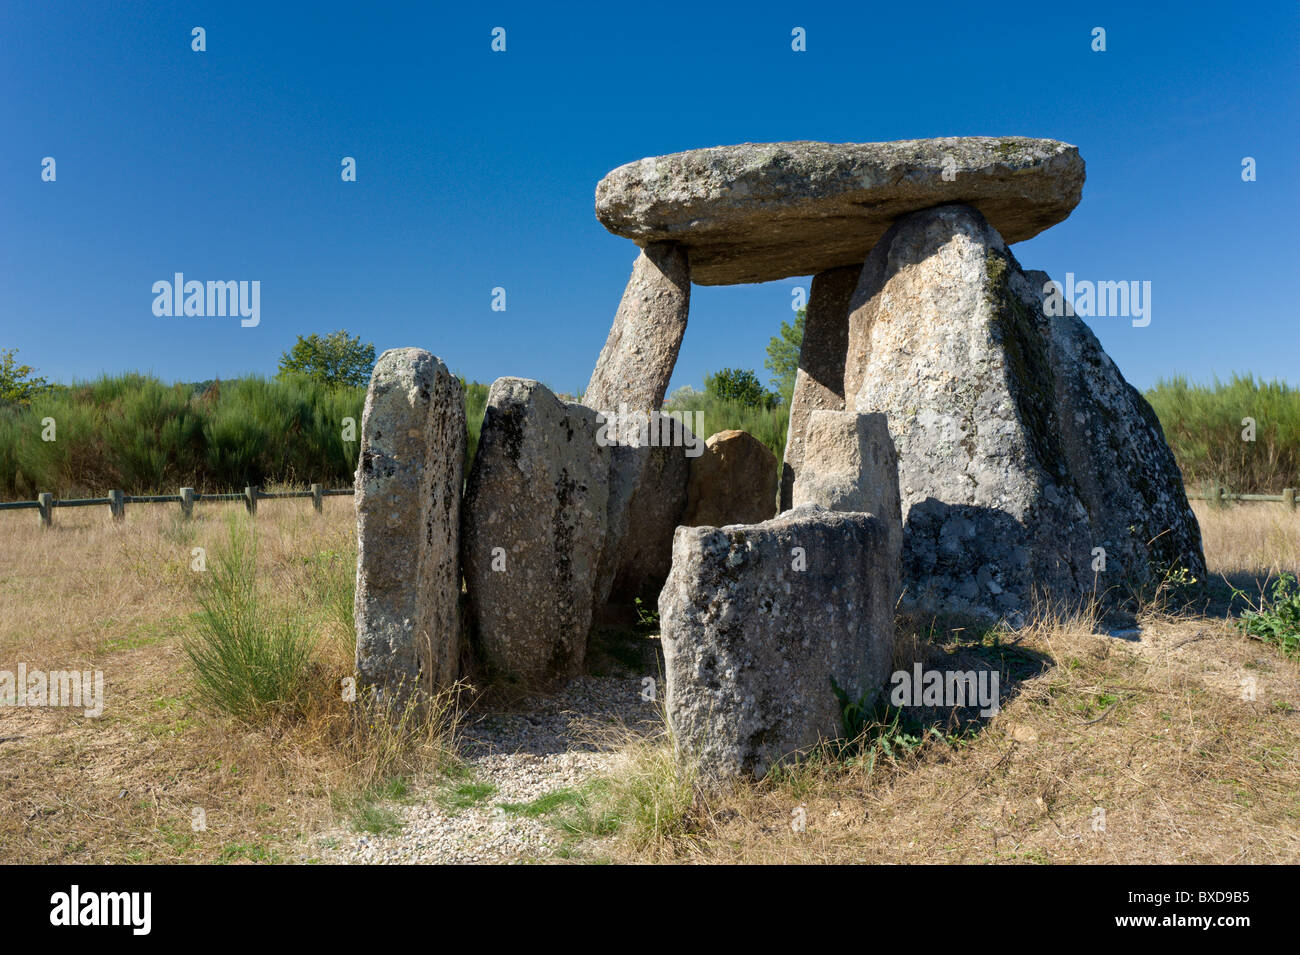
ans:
(957, 446)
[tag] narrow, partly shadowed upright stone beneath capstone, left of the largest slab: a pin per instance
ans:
(820, 381)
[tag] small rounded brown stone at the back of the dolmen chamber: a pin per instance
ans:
(734, 481)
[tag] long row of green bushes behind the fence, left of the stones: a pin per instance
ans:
(135, 433)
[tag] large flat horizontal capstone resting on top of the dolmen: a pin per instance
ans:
(766, 211)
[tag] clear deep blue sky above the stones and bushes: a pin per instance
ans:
(478, 170)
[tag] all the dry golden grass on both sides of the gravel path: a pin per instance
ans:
(1156, 735)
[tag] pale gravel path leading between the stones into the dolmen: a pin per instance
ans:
(539, 746)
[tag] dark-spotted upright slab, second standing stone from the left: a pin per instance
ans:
(539, 489)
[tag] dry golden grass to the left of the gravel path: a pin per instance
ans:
(127, 787)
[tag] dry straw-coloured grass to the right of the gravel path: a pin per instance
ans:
(1108, 752)
